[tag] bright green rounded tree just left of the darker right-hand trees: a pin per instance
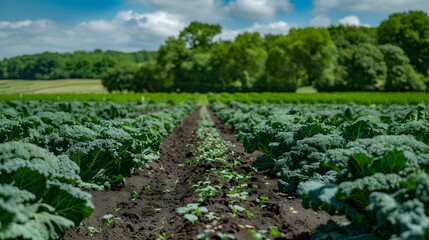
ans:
(303, 55)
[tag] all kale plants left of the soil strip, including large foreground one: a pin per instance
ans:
(47, 149)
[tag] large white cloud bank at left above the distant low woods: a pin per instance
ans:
(127, 31)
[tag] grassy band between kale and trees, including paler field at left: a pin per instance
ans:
(85, 89)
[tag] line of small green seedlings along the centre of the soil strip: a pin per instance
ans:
(220, 178)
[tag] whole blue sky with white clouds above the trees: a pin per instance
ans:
(36, 26)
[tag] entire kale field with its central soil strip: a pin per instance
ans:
(215, 166)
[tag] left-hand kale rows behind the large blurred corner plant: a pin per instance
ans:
(106, 141)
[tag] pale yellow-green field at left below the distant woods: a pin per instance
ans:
(51, 86)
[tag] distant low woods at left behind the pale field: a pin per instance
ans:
(80, 64)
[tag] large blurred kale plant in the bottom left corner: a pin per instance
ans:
(38, 199)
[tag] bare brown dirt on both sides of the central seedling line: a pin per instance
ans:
(165, 185)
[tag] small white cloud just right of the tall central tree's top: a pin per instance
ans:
(264, 29)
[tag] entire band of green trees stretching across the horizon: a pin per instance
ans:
(391, 57)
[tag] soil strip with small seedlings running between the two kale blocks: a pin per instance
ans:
(185, 175)
